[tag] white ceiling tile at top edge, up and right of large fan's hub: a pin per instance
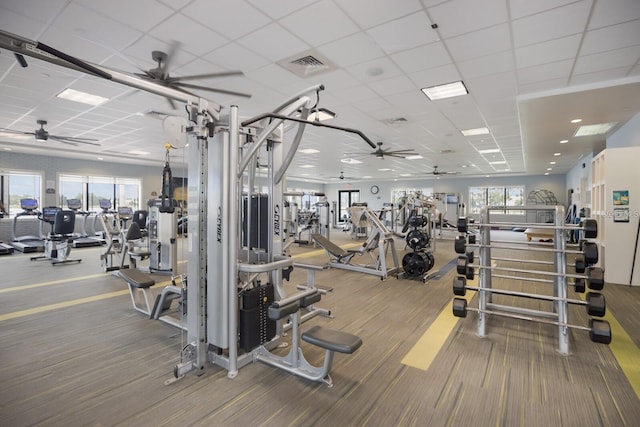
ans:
(230, 22)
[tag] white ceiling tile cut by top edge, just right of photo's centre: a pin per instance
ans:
(369, 13)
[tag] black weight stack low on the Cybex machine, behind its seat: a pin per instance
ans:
(255, 326)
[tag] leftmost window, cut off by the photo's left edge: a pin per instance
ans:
(16, 185)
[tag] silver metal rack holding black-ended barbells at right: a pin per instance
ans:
(585, 274)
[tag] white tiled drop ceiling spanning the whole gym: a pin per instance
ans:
(530, 68)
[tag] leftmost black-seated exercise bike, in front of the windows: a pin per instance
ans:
(58, 242)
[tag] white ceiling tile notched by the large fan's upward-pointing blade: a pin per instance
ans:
(197, 40)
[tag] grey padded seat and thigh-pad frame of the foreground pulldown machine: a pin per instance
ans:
(330, 340)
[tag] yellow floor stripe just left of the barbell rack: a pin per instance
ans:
(426, 349)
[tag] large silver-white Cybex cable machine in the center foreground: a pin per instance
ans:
(219, 269)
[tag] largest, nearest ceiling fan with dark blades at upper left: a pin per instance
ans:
(160, 75)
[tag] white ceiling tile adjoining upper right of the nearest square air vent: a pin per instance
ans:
(351, 50)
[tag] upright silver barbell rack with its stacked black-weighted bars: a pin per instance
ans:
(599, 329)
